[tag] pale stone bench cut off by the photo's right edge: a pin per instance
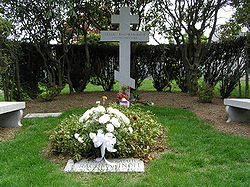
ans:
(238, 110)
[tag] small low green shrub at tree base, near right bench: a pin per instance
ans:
(205, 93)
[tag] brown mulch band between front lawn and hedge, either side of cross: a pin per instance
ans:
(211, 112)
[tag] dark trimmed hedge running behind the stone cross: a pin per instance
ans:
(225, 63)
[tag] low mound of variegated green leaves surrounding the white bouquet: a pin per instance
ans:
(136, 139)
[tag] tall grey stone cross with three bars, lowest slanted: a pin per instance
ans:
(124, 36)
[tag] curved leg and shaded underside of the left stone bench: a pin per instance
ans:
(11, 119)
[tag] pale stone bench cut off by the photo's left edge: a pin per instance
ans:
(11, 114)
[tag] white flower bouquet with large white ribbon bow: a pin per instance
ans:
(105, 124)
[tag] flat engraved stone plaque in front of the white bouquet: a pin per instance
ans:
(118, 165)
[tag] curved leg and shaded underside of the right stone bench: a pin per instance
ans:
(237, 114)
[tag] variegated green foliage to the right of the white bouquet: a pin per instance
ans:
(147, 132)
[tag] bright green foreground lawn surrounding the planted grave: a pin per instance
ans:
(197, 156)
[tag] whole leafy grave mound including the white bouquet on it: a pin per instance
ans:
(138, 135)
